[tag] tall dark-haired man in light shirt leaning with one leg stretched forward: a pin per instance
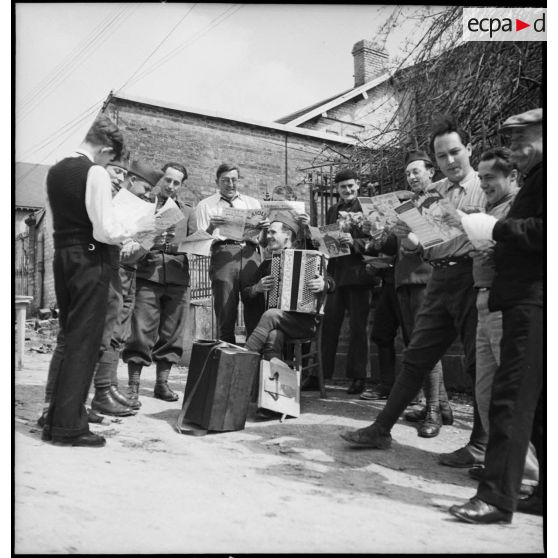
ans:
(449, 305)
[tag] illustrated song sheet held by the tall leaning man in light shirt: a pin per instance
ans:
(425, 215)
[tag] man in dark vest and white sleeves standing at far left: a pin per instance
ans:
(86, 250)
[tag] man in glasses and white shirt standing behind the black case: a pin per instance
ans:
(233, 263)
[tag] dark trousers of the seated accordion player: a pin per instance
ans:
(274, 327)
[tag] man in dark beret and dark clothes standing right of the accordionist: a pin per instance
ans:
(352, 292)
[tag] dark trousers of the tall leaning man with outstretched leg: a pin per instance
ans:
(449, 309)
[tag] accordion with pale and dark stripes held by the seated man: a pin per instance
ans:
(292, 269)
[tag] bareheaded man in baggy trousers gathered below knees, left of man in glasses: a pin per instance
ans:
(162, 297)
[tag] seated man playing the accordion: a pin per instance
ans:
(275, 324)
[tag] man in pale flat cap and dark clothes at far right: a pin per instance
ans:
(516, 406)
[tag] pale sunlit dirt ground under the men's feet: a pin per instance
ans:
(274, 487)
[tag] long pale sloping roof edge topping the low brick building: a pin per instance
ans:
(288, 128)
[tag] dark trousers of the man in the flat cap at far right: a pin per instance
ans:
(516, 393)
